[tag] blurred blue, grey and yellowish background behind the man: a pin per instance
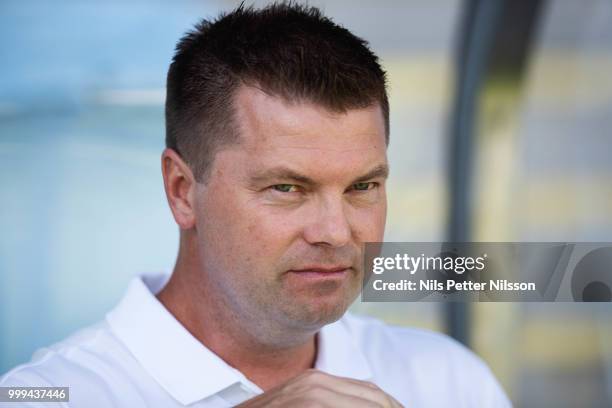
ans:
(500, 131)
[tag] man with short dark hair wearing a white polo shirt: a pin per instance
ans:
(277, 129)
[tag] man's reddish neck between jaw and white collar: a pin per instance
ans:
(191, 301)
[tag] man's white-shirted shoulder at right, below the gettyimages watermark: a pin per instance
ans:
(431, 362)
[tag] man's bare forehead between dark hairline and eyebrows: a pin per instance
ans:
(267, 122)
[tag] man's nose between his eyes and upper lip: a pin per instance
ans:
(329, 225)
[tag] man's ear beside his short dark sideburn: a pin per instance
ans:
(180, 185)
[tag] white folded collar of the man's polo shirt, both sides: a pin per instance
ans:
(187, 369)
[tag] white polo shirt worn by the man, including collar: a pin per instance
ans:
(141, 356)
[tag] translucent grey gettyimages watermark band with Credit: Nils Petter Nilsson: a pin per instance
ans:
(548, 271)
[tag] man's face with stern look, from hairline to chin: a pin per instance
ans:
(282, 218)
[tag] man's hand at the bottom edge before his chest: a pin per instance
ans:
(316, 389)
